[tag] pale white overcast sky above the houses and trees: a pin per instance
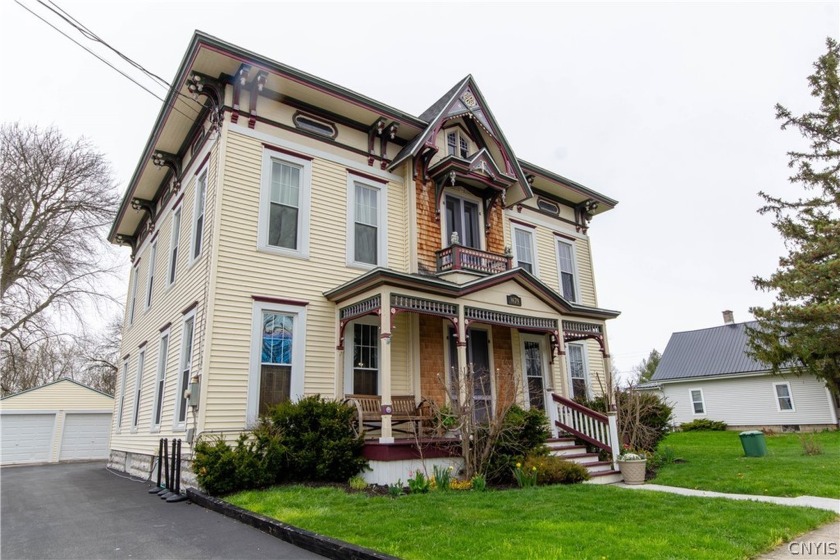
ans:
(666, 107)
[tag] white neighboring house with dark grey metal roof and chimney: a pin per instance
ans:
(708, 374)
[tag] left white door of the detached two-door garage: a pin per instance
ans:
(26, 438)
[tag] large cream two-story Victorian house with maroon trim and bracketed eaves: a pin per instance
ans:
(291, 237)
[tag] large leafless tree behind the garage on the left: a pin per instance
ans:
(57, 197)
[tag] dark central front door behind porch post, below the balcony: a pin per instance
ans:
(478, 357)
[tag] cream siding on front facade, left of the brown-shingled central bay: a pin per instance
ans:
(285, 277)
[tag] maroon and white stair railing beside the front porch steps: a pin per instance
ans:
(592, 427)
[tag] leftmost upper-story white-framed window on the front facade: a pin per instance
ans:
(284, 204)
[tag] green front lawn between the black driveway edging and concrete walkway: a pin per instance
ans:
(580, 521)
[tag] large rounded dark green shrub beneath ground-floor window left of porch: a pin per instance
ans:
(319, 439)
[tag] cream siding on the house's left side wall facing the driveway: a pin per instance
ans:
(168, 302)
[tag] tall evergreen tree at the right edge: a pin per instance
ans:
(801, 329)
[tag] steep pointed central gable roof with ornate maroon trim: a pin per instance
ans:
(465, 99)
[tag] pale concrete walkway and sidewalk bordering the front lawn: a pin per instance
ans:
(821, 543)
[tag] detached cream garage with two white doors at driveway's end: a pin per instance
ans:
(60, 421)
